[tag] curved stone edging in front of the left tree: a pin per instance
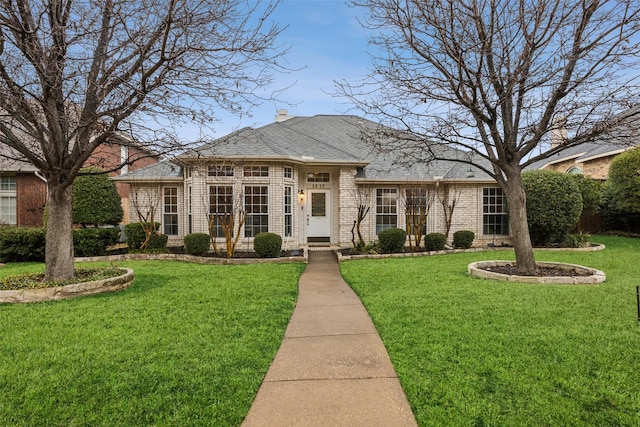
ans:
(69, 291)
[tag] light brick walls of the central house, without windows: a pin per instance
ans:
(343, 188)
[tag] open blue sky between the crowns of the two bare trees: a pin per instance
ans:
(326, 43)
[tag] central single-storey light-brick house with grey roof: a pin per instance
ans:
(303, 178)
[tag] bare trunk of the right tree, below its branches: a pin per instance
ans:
(516, 199)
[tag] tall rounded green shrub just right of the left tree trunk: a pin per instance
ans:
(95, 199)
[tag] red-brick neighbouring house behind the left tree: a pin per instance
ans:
(23, 189)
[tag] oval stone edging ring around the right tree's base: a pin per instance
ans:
(477, 269)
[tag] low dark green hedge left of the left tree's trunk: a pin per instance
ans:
(22, 244)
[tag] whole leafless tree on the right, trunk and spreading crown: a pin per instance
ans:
(491, 76)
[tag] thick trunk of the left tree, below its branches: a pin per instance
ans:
(59, 245)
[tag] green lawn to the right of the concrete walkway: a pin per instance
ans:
(473, 352)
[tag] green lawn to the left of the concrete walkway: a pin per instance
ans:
(187, 344)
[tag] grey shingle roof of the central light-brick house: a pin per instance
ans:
(328, 139)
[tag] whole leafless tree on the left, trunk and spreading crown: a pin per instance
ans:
(73, 73)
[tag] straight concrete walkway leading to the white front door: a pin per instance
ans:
(332, 368)
